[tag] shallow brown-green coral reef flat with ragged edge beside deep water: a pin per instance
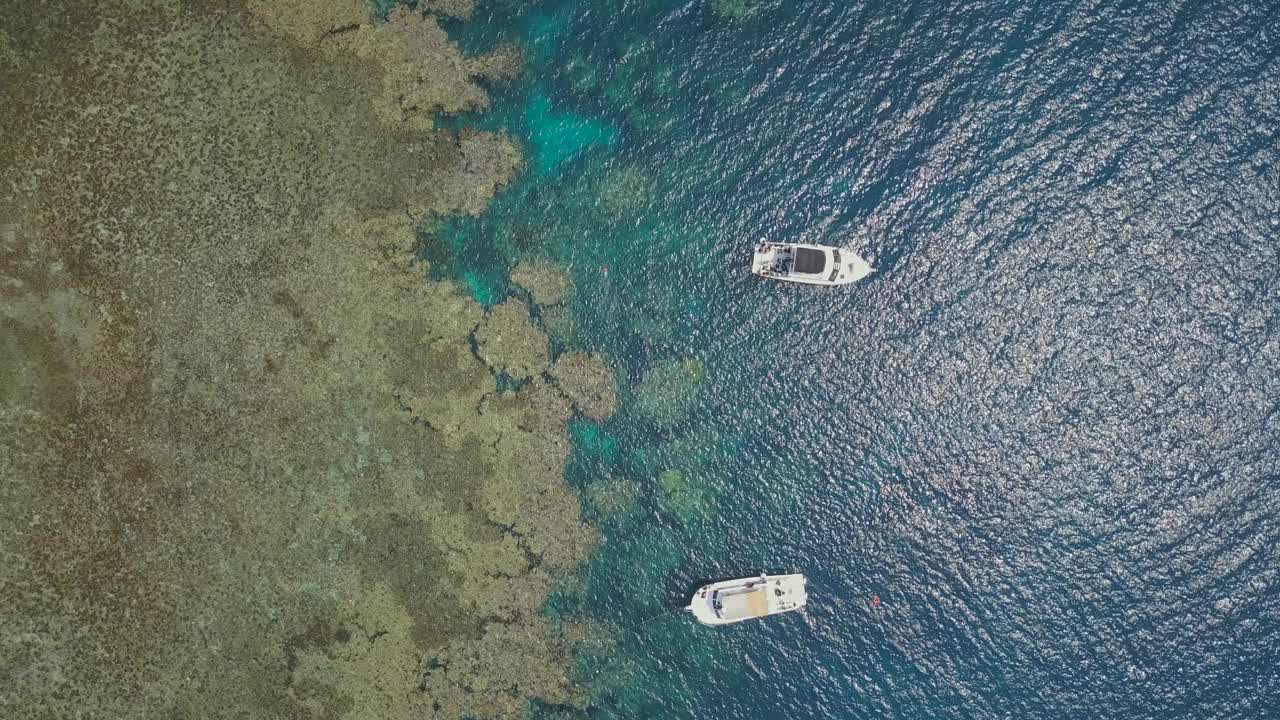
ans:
(255, 464)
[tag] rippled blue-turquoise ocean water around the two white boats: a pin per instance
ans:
(1032, 466)
